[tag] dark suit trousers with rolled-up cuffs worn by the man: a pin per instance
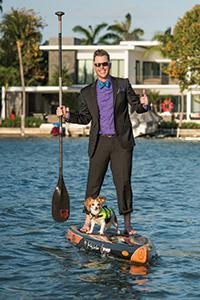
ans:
(109, 150)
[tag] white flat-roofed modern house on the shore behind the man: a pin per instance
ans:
(129, 59)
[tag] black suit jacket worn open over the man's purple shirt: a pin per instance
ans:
(122, 95)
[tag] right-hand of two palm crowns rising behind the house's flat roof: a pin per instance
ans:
(123, 31)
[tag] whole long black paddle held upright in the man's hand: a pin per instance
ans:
(60, 200)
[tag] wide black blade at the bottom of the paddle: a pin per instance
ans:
(60, 202)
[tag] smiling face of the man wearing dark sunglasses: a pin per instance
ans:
(102, 67)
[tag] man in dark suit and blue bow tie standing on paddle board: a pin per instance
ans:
(105, 104)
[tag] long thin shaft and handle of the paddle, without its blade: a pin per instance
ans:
(60, 14)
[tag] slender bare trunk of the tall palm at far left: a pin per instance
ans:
(23, 106)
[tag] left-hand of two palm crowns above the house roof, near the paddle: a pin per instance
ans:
(91, 36)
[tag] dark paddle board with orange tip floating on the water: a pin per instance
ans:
(136, 249)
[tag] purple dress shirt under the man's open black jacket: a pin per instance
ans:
(106, 109)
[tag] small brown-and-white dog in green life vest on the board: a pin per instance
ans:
(99, 214)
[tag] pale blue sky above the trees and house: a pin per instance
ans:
(150, 15)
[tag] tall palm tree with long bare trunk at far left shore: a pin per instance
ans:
(20, 30)
